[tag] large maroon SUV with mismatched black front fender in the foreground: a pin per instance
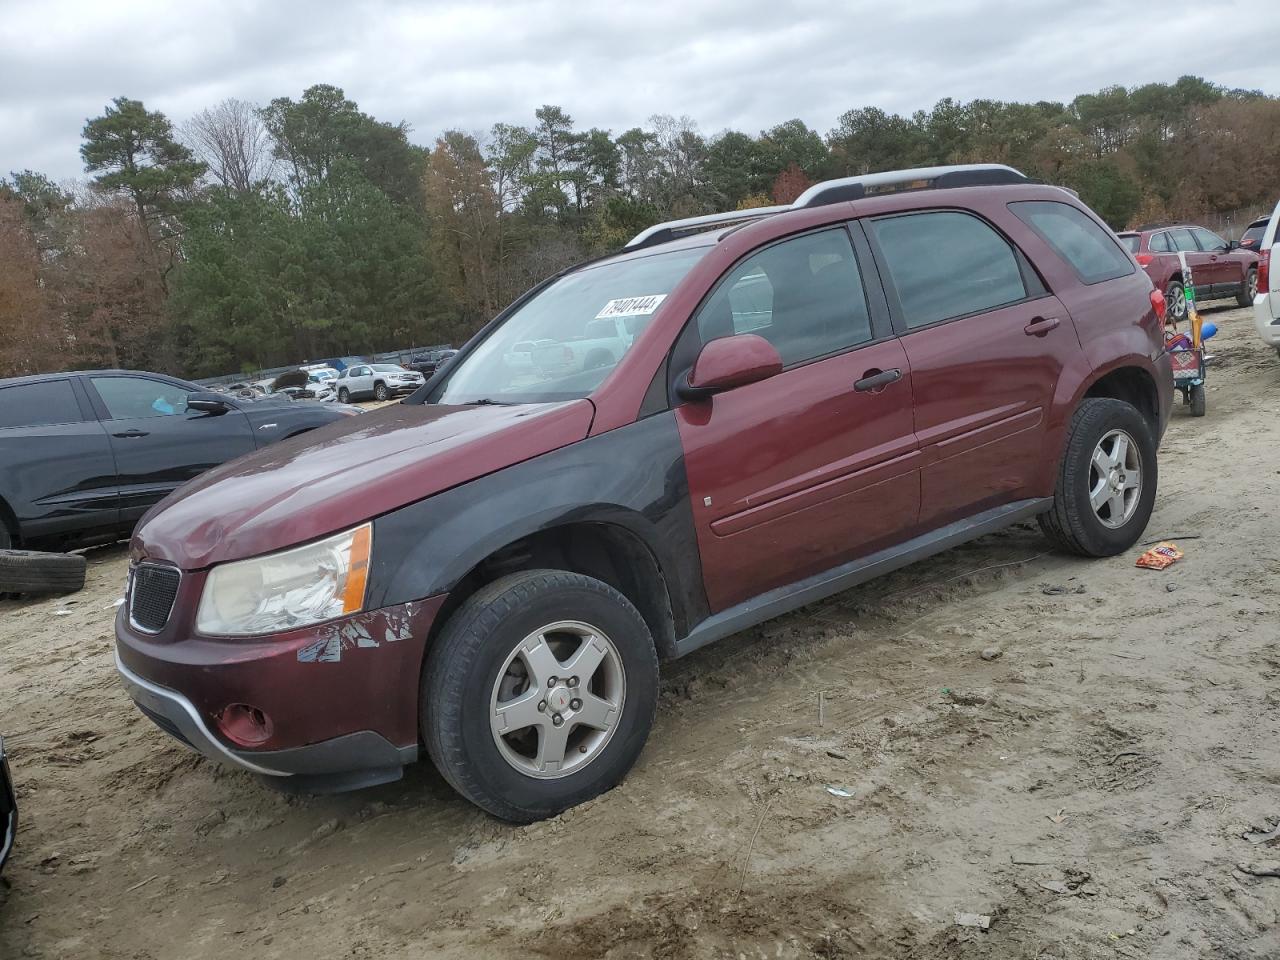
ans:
(812, 396)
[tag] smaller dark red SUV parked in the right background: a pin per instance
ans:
(1219, 269)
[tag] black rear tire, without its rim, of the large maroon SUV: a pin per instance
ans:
(1072, 524)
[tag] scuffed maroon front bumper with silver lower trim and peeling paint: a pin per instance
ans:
(342, 697)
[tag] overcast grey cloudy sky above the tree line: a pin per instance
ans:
(746, 65)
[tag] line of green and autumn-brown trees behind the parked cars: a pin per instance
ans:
(254, 236)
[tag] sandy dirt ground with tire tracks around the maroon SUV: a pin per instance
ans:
(1089, 790)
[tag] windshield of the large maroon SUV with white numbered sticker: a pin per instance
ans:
(564, 342)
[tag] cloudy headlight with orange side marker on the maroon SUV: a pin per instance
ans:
(290, 589)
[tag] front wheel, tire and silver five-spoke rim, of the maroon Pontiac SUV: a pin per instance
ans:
(540, 694)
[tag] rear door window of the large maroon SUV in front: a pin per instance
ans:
(947, 266)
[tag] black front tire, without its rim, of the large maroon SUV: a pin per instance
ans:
(464, 666)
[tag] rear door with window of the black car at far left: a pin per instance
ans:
(57, 472)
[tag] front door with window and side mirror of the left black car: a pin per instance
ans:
(158, 444)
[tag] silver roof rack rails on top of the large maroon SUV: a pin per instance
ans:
(842, 191)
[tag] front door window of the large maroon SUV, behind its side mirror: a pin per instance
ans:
(804, 296)
